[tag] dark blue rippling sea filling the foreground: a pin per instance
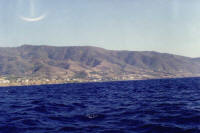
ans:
(150, 106)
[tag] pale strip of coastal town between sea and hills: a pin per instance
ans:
(83, 76)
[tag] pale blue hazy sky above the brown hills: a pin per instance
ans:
(171, 26)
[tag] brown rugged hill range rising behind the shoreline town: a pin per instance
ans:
(50, 61)
